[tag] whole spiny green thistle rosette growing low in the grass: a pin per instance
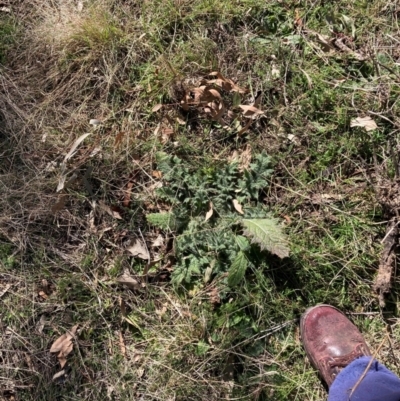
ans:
(222, 243)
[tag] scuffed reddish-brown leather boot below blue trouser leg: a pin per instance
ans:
(331, 341)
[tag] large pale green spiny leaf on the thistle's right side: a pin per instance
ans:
(268, 234)
